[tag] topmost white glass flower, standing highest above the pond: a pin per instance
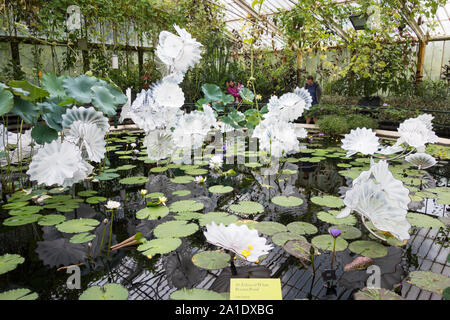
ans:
(178, 53)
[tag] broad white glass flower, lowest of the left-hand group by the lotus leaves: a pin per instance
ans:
(58, 163)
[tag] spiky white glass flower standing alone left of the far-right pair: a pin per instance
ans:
(360, 140)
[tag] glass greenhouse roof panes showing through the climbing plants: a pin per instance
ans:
(238, 12)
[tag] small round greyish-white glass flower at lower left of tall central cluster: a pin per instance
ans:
(159, 144)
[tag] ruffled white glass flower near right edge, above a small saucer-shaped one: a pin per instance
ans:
(417, 132)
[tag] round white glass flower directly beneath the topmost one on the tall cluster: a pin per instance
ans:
(167, 94)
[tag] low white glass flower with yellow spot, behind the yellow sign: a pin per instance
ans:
(244, 242)
